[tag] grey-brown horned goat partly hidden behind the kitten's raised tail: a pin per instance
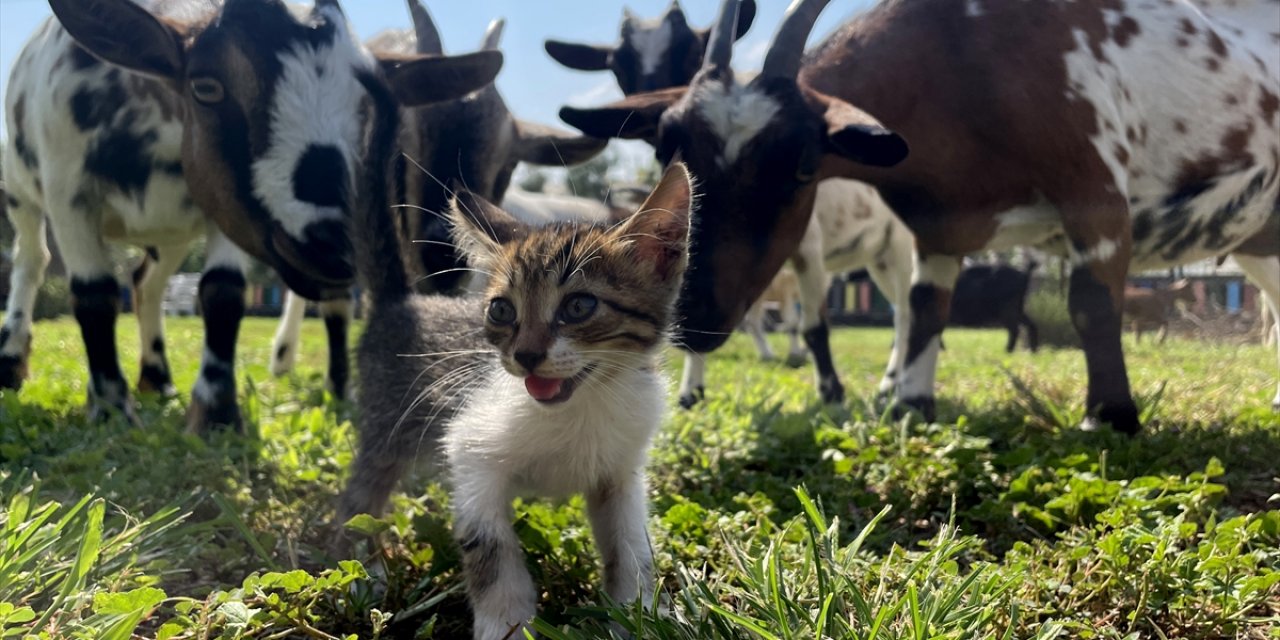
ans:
(473, 141)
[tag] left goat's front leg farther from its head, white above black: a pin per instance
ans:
(97, 304)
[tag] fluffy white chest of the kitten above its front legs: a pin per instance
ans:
(600, 435)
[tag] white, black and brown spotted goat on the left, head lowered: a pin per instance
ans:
(154, 125)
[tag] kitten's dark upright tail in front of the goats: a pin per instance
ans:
(378, 258)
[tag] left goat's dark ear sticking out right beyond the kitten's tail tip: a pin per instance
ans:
(420, 80)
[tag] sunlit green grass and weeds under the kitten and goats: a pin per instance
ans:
(771, 516)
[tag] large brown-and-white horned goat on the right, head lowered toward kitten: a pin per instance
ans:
(1124, 135)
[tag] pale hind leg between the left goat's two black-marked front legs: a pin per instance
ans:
(149, 284)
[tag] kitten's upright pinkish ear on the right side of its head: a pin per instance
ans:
(660, 228)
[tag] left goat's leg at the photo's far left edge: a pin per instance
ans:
(30, 260)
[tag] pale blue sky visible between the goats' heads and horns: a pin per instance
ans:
(533, 84)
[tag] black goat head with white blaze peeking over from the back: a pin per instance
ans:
(651, 56)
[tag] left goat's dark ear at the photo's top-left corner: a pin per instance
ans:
(125, 34)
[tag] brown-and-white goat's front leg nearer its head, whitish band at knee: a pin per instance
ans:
(934, 284)
